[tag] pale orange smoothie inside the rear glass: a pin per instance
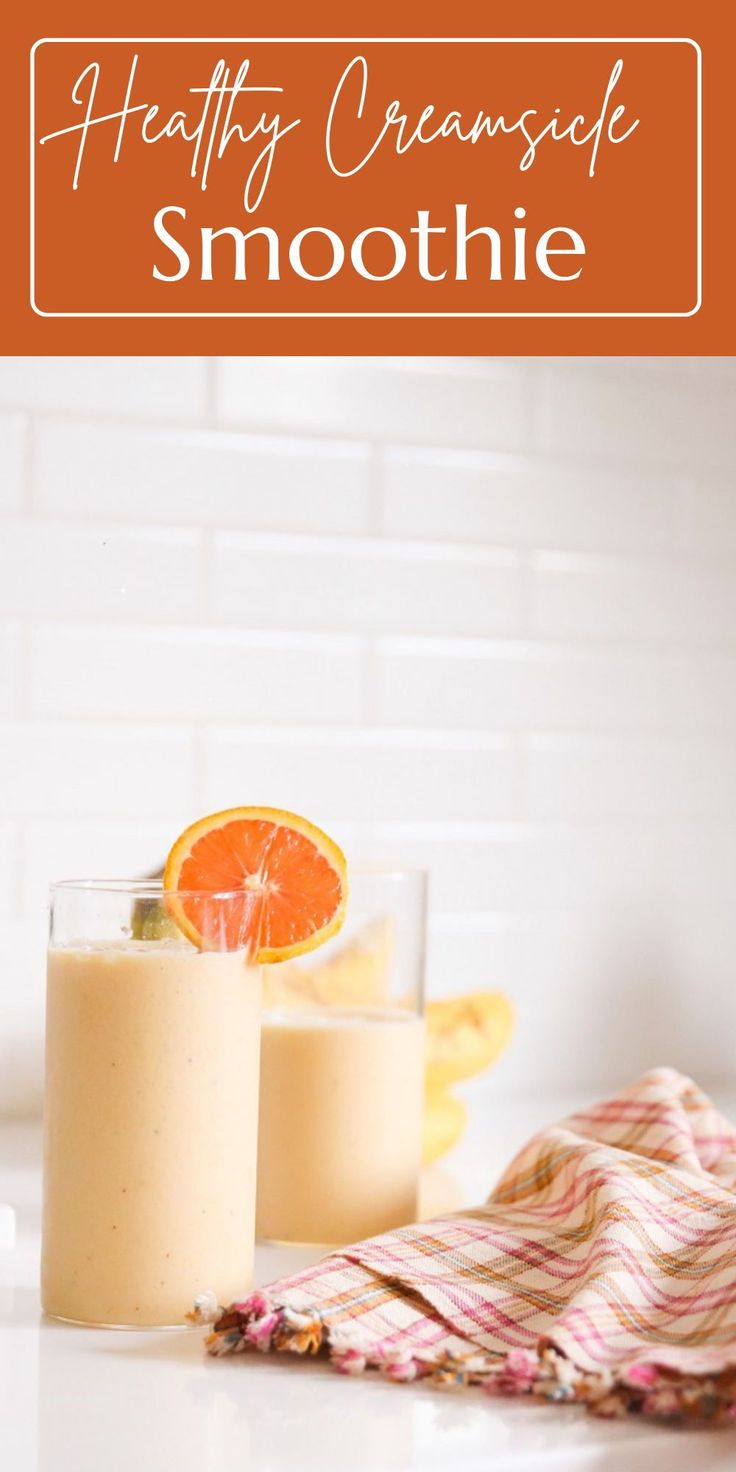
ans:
(341, 1124)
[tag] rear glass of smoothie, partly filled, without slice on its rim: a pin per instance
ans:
(342, 1072)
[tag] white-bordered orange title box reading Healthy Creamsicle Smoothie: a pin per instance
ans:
(351, 179)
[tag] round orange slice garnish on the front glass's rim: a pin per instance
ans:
(286, 884)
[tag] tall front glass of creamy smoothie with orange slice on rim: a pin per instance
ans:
(151, 1122)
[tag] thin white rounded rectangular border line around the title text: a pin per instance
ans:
(358, 40)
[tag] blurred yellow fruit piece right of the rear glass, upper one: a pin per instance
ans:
(466, 1036)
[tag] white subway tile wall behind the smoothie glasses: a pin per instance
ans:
(475, 615)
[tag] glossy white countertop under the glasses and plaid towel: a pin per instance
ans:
(101, 1401)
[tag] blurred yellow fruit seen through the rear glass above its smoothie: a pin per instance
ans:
(354, 977)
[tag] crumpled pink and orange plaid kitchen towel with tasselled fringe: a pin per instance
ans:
(601, 1270)
